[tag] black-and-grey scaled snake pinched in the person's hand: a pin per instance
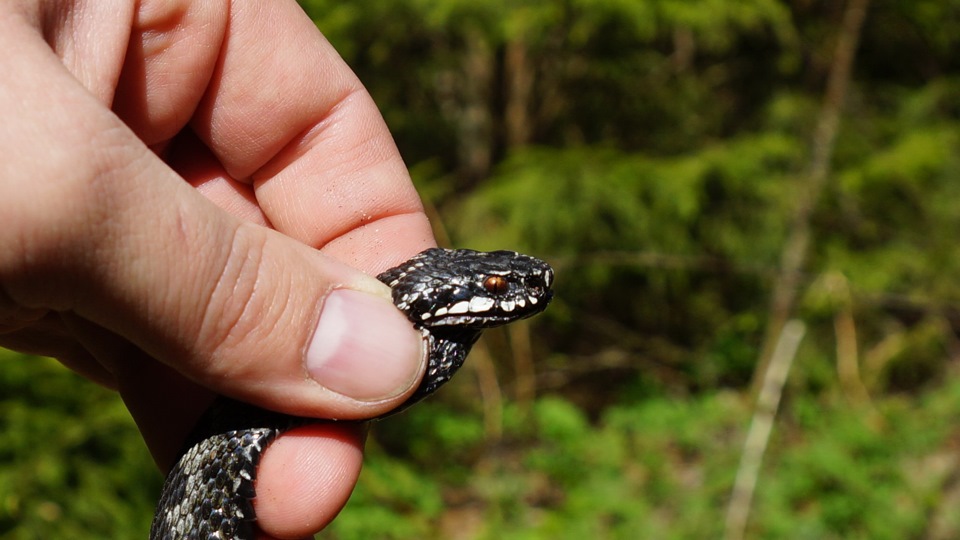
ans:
(449, 295)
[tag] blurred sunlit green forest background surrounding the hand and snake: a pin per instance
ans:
(736, 195)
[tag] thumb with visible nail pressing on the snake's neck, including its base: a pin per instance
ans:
(113, 235)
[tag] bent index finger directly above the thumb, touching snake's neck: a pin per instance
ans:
(294, 120)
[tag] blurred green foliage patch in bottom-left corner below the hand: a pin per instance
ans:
(73, 463)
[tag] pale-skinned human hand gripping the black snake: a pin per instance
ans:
(183, 186)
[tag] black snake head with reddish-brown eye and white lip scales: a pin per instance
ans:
(471, 289)
